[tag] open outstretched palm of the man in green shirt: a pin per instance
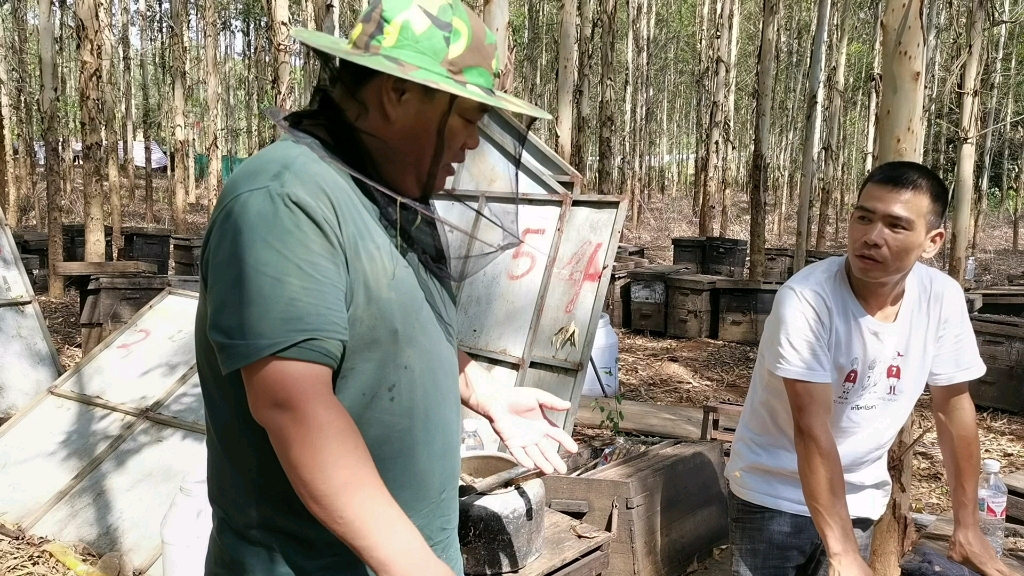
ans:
(518, 418)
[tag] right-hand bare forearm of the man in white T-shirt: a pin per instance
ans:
(957, 428)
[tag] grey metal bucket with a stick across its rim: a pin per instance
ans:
(500, 531)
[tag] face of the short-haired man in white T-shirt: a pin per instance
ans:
(890, 231)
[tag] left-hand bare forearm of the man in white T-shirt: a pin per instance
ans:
(825, 490)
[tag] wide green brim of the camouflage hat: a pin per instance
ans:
(339, 48)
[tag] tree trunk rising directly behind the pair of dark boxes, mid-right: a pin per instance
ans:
(716, 143)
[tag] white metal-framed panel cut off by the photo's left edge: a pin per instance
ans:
(29, 363)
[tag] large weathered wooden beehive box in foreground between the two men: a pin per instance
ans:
(666, 507)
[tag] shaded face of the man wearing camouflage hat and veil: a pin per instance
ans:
(412, 117)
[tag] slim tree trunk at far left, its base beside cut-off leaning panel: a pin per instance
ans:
(49, 108)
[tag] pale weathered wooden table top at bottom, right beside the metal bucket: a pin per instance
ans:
(567, 553)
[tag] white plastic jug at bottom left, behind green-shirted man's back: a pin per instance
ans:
(187, 526)
